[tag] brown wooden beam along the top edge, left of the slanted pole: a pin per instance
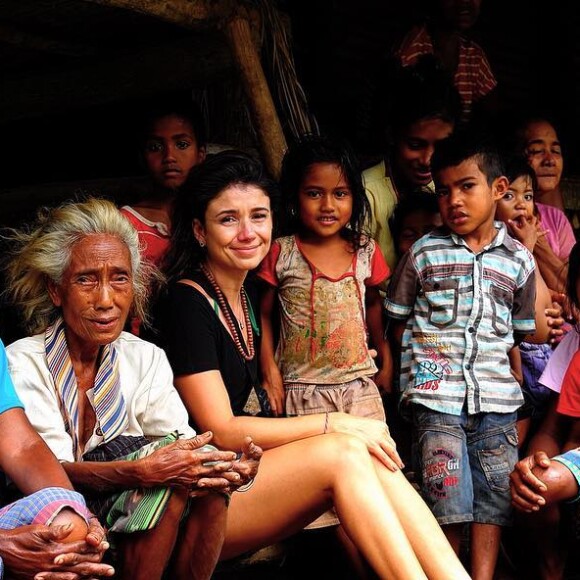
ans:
(186, 13)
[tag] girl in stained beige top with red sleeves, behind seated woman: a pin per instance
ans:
(323, 280)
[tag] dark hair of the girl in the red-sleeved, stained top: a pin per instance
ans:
(310, 150)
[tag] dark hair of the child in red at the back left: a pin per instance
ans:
(186, 109)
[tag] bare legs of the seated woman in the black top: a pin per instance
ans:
(298, 481)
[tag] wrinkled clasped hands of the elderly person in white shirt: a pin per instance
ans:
(188, 463)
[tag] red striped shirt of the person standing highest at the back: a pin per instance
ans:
(474, 78)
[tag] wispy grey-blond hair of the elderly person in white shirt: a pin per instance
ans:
(42, 252)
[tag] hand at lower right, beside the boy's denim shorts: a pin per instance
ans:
(525, 487)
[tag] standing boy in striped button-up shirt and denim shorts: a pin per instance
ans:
(460, 299)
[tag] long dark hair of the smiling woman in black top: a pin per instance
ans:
(204, 183)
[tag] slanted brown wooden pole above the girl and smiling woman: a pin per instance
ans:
(265, 117)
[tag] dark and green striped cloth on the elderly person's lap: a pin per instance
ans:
(133, 510)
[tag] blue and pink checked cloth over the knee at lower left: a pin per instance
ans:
(40, 508)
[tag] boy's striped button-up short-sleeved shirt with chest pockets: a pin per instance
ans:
(463, 311)
